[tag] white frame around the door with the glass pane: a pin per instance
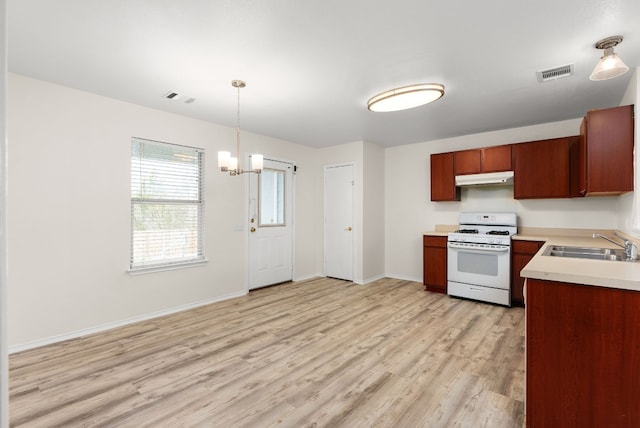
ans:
(247, 214)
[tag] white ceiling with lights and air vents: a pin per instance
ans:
(310, 66)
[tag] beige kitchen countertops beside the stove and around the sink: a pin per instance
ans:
(604, 273)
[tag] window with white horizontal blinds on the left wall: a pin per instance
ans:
(166, 205)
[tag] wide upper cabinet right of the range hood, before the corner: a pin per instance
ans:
(542, 168)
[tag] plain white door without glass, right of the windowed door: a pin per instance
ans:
(338, 221)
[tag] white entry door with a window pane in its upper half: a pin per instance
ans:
(271, 225)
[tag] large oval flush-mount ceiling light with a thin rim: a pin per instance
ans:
(406, 97)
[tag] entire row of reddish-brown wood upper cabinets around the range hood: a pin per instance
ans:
(597, 162)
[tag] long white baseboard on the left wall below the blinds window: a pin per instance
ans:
(100, 328)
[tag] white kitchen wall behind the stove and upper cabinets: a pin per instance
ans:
(410, 212)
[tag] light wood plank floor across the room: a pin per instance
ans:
(316, 353)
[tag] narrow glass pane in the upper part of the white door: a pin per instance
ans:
(271, 198)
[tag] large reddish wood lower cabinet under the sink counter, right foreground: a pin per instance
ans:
(582, 356)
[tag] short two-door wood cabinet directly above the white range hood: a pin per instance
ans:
(487, 159)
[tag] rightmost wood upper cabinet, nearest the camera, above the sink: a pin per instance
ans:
(605, 155)
